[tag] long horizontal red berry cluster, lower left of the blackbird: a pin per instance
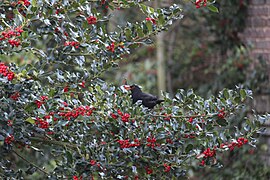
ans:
(82, 110)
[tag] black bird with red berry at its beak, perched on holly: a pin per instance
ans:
(148, 100)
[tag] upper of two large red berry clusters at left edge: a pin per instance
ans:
(11, 35)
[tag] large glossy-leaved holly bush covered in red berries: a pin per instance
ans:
(60, 120)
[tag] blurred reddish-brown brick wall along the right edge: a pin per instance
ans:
(257, 32)
